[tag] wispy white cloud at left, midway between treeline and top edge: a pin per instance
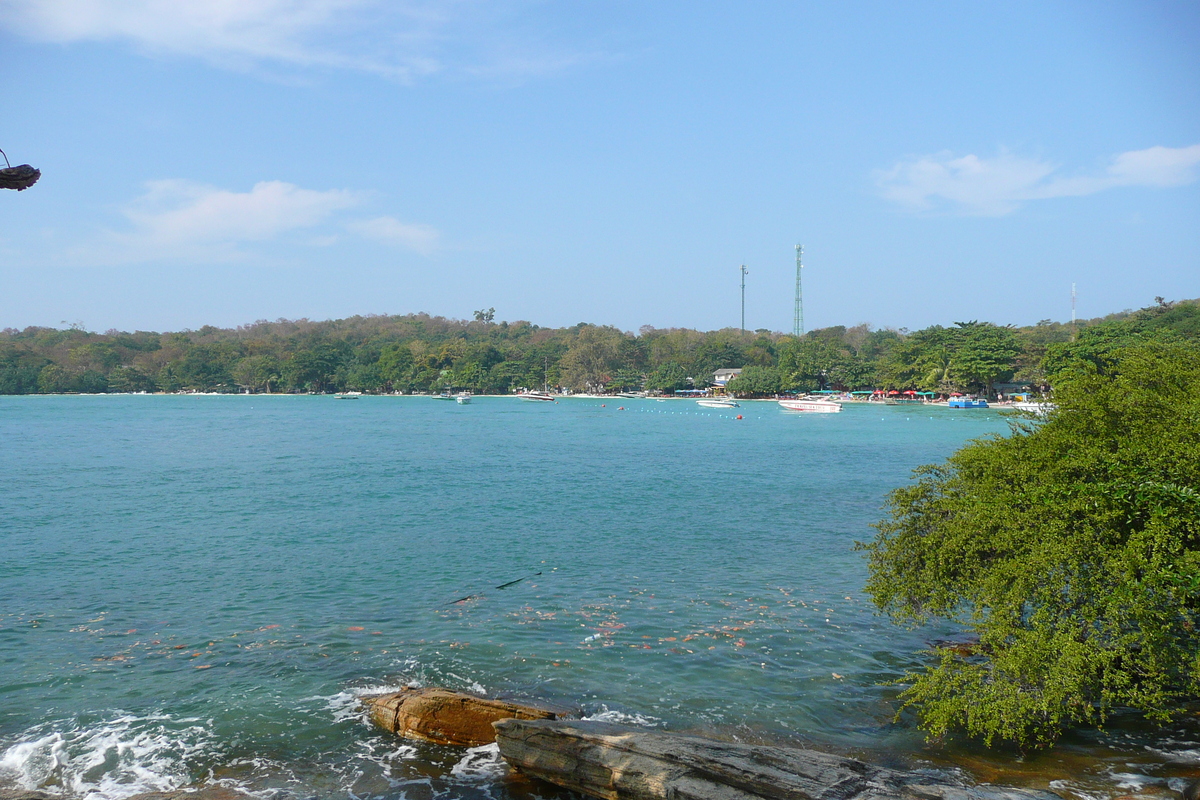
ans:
(183, 221)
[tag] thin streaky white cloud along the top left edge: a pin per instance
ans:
(403, 40)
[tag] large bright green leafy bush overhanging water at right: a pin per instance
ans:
(1071, 548)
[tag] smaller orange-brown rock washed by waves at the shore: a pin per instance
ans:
(448, 718)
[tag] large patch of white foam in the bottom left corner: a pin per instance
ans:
(111, 760)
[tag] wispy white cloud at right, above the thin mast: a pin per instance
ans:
(1000, 185)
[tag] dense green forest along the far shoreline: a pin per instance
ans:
(418, 353)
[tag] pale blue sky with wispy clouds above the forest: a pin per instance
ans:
(217, 163)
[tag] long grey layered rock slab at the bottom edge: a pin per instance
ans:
(616, 762)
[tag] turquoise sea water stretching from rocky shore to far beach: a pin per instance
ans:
(199, 590)
